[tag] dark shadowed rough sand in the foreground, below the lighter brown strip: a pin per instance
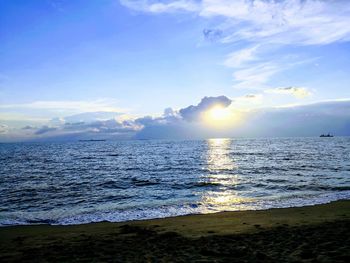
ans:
(326, 242)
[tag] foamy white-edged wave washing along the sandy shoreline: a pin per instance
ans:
(170, 211)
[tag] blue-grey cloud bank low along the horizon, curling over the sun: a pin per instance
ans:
(306, 120)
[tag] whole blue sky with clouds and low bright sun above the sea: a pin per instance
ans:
(74, 69)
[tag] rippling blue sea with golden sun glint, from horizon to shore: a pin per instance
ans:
(81, 182)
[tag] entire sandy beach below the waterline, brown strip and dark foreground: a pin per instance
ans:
(318, 233)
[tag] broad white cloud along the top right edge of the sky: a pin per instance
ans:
(302, 22)
